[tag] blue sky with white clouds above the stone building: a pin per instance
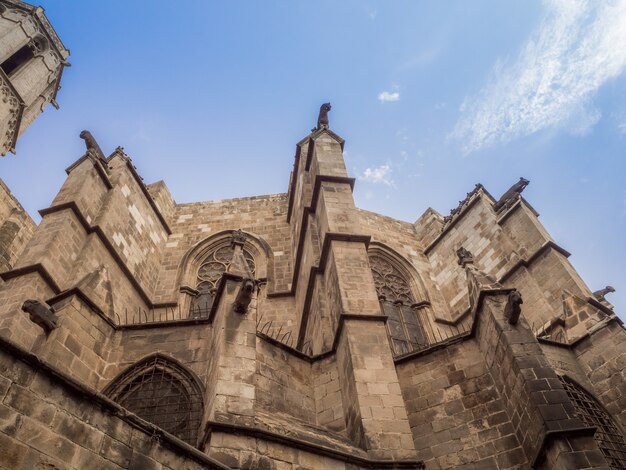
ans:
(431, 97)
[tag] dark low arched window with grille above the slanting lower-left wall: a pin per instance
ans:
(163, 393)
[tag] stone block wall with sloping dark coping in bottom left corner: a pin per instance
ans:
(50, 421)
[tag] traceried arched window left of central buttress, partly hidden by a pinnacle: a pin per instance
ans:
(210, 272)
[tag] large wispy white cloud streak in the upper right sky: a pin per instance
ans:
(578, 47)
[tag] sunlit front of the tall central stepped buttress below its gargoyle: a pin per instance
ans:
(373, 404)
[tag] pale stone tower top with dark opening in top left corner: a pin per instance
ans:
(32, 58)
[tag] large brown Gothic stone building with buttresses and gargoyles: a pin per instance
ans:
(296, 331)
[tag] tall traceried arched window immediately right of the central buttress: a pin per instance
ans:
(403, 325)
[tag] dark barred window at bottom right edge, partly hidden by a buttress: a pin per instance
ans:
(608, 436)
